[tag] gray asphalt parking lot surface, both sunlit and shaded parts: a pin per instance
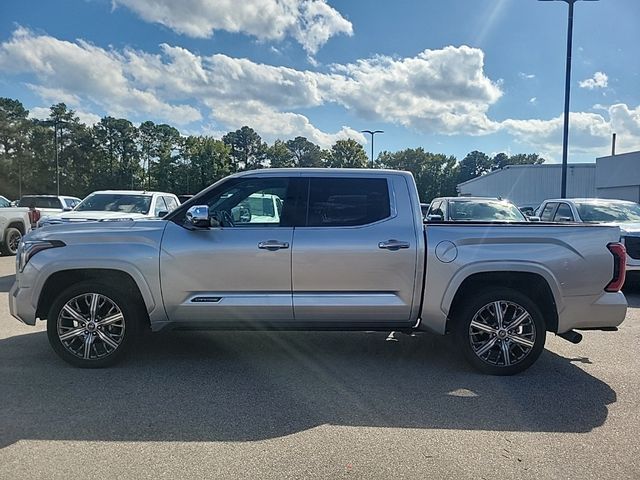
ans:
(317, 405)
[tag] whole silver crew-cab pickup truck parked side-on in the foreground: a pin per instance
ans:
(349, 251)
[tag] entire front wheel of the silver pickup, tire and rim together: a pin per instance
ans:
(68, 328)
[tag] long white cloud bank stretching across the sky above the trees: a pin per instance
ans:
(441, 91)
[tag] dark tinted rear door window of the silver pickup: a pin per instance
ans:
(341, 202)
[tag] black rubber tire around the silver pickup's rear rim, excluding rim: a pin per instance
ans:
(479, 300)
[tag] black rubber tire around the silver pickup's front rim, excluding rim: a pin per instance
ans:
(130, 310)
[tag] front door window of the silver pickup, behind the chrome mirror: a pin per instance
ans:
(251, 202)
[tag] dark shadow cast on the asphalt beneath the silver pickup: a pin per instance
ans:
(247, 386)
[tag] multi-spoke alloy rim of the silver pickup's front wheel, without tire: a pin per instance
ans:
(91, 326)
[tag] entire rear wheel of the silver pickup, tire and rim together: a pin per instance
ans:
(485, 345)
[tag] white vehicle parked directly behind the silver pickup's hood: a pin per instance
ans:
(117, 204)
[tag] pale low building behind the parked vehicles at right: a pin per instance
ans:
(616, 176)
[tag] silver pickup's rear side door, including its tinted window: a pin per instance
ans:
(354, 257)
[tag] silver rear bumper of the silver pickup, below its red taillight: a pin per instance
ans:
(604, 310)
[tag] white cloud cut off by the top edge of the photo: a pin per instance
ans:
(310, 22)
